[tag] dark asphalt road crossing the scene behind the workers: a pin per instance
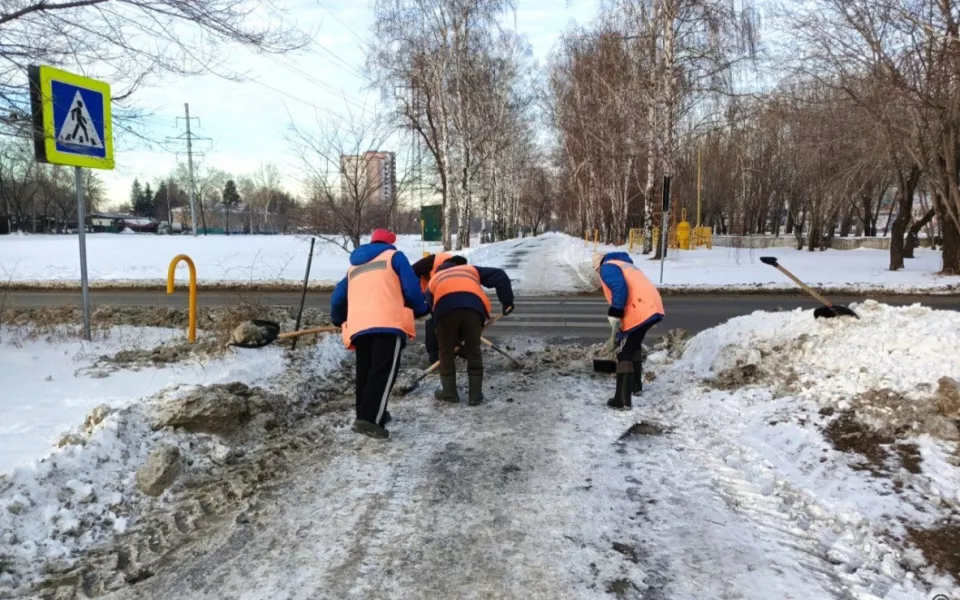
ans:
(554, 317)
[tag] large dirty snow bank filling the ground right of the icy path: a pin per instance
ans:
(846, 428)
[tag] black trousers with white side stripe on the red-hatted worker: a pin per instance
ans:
(378, 361)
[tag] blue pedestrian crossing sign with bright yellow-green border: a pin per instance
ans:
(71, 117)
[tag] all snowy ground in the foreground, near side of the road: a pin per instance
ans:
(774, 456)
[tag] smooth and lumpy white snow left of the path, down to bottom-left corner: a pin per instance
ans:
(75, 428)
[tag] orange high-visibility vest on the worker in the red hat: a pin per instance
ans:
(375, 300)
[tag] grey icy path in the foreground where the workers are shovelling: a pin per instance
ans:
(532, 495)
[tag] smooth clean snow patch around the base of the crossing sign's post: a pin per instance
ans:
(52, 382)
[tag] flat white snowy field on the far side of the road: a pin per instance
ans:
(549, 264)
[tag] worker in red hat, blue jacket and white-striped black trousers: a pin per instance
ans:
(375, 305)
